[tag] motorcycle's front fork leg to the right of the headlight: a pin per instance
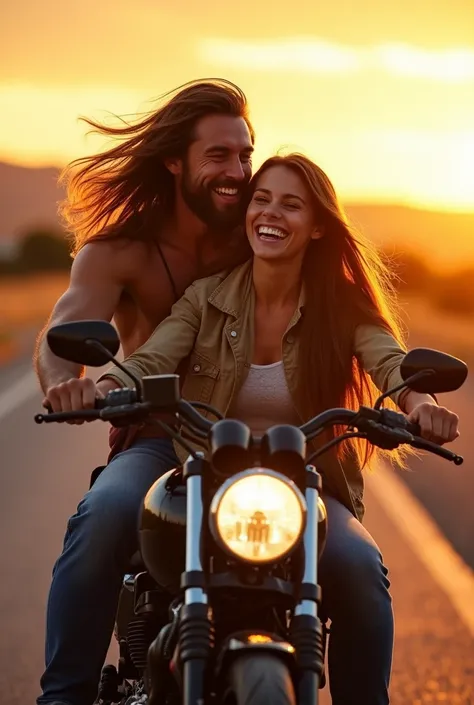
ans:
(306, 628)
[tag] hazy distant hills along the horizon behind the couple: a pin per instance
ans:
(29, 197)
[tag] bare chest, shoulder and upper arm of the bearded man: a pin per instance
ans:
(133, 282)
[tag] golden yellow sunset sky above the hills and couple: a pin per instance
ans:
(379, 93)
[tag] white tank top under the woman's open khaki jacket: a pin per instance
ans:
(264, 399)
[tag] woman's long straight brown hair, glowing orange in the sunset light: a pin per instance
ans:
(346, 284)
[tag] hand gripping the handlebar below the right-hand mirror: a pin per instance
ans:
(437, 423)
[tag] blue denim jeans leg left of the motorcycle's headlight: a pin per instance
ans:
(87, 578)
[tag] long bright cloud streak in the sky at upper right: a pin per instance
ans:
(321, 57)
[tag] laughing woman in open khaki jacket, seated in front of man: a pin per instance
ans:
(307, 324)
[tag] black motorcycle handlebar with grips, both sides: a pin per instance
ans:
(381, 427)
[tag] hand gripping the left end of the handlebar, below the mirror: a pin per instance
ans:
(77, 394)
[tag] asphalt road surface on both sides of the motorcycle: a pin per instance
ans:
(44, 472)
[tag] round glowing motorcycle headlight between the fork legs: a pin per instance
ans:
(258, 515)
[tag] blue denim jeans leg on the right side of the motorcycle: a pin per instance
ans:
(355, 595)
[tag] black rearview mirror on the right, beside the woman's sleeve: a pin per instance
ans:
(448, 373)
